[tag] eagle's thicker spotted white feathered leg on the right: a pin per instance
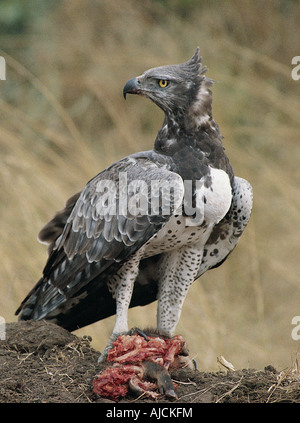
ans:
(180, 268)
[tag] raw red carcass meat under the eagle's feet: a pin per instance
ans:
(140, 362)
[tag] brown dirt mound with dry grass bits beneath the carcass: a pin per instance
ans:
(41, 362)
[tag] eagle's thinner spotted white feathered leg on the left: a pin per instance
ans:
(122, 287)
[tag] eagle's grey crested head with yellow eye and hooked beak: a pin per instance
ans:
(179, 90)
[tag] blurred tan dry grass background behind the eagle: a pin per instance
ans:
(63, 119)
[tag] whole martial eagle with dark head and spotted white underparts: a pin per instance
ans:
(105, 257)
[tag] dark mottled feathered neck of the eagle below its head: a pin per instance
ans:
(192, 133)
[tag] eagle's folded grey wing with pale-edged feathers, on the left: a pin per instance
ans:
(96, 231)
